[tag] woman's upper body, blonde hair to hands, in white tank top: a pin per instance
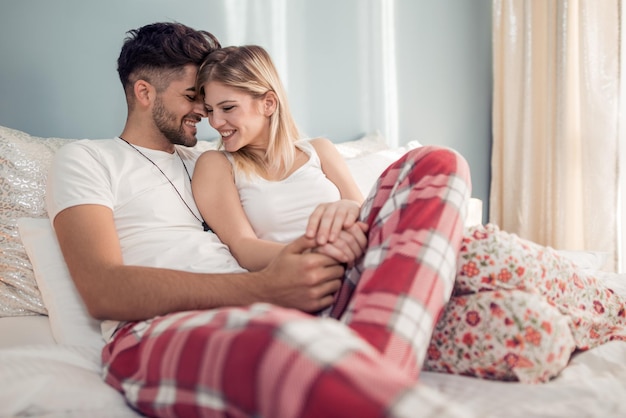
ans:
(261, 192)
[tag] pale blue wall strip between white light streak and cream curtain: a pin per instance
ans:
(445, 70)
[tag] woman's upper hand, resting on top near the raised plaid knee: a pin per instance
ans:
(329, 219)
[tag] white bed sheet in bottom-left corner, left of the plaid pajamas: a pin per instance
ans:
(43, 379)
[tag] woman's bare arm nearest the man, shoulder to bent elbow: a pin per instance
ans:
(218, 200)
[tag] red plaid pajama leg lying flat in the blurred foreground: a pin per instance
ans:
(261, 361)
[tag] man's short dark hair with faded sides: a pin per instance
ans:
(157, 51)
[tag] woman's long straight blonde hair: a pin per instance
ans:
(250, 69)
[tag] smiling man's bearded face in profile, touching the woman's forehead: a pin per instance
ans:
(176, 110)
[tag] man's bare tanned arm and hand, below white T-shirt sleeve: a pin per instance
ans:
(88, 239)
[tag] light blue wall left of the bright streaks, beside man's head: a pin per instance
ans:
(58, 60)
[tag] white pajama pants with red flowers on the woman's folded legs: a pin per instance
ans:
(519, 310)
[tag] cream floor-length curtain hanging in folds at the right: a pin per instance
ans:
(556, 122)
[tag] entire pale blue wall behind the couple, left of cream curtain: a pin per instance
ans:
(57, 71)
